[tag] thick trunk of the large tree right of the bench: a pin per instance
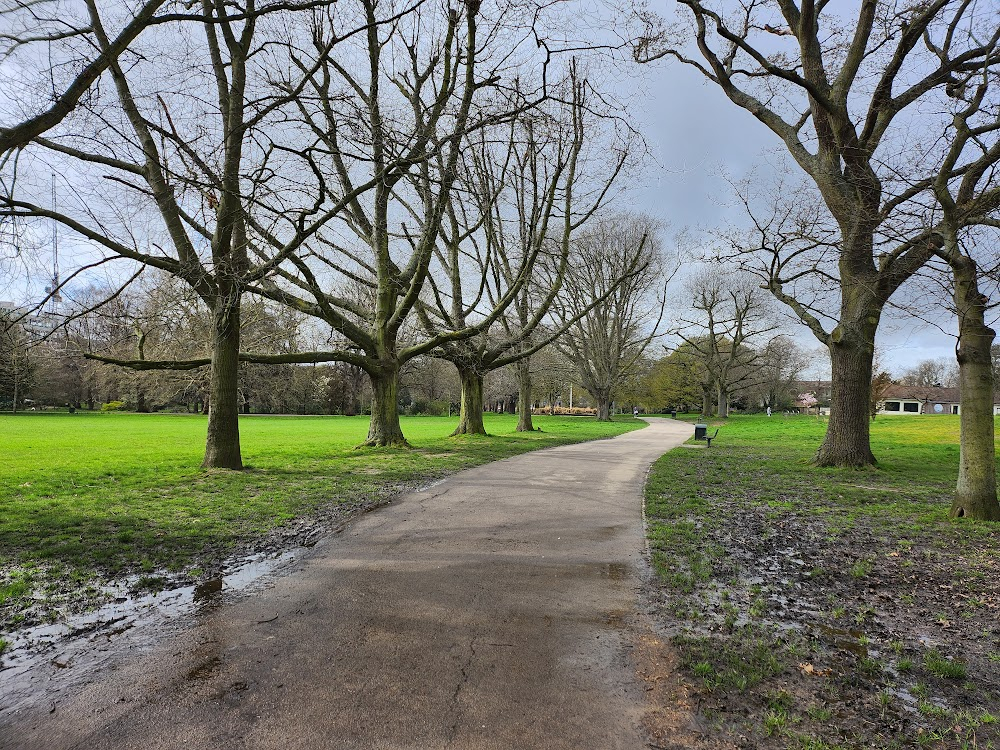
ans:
(852, 348)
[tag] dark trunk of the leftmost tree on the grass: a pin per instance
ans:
(222, 447)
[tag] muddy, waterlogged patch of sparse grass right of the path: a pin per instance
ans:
(800, 618)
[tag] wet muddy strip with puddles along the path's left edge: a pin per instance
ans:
(66, 637)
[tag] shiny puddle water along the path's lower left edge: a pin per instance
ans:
(48, 659)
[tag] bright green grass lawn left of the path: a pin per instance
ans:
(85, 496)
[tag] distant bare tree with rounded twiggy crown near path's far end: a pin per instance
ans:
(608, 340)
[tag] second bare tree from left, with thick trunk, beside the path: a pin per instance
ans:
(427, 85)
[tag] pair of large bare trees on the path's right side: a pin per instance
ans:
(852, 98)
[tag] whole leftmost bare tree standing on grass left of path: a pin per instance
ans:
(186, 180)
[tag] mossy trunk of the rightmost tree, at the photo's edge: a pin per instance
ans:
(976, 491)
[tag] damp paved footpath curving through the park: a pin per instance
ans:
(484, 612)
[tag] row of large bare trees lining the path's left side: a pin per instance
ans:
(415, 179)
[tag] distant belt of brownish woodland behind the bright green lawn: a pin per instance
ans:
(42, 367)
